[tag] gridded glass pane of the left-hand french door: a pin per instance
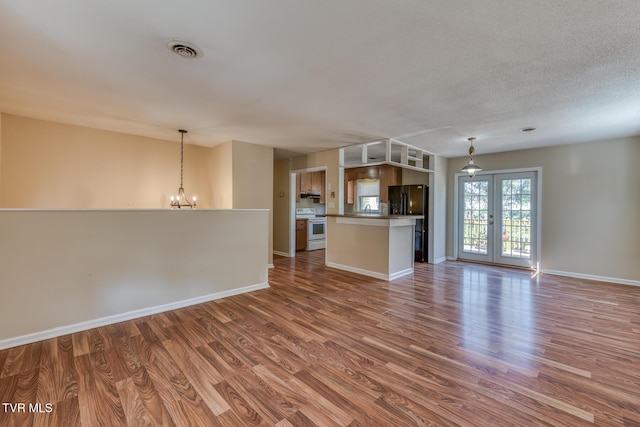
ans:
(476, 206)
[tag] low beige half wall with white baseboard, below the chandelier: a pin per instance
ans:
(98, 267)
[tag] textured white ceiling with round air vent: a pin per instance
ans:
(309, 75)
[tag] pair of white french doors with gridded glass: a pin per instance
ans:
(497, 217)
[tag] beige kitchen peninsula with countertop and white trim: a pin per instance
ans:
(373, 245)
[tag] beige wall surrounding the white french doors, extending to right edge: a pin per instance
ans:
(590, 204)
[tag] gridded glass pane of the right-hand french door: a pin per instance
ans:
(516, 218)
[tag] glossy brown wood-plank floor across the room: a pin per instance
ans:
(454, 344)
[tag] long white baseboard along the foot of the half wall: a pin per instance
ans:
(108, 320)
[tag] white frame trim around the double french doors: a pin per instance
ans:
(538, 221)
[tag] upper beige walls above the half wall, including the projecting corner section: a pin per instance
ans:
(52, 165)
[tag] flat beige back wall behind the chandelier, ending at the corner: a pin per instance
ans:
(52, 165)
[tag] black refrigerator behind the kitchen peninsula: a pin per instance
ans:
(412, 200)
